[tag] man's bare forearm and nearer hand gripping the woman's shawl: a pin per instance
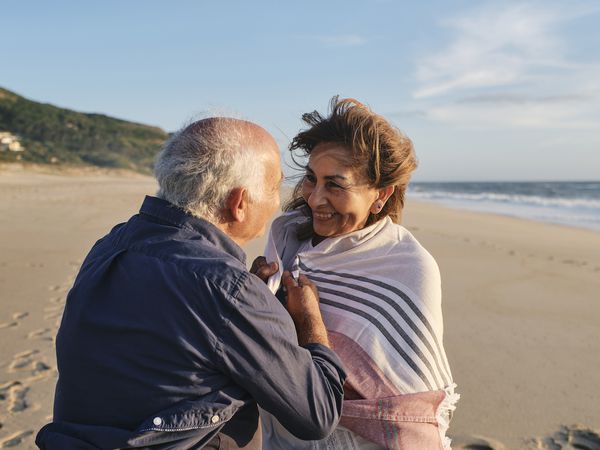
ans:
(303, 306)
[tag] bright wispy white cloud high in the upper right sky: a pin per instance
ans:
(493, 47)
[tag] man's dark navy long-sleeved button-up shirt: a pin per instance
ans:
(167, 340)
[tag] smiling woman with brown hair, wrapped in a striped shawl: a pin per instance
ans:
(379, 288)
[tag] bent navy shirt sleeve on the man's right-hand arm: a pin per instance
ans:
(301, 386)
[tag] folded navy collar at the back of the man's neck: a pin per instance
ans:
(167, 212)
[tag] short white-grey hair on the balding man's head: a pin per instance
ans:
(200, 164)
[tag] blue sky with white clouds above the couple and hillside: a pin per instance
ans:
(494, 90)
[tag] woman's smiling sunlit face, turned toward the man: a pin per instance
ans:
(339, 197)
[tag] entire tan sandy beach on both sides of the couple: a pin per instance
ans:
(521, 307)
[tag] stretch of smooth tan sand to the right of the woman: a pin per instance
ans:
(521, 305)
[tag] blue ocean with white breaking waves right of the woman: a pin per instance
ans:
(575, 204)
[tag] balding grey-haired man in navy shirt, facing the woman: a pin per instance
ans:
(167, 341)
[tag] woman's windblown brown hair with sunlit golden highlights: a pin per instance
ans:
(379, 151)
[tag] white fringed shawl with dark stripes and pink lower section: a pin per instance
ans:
(380, 299)
